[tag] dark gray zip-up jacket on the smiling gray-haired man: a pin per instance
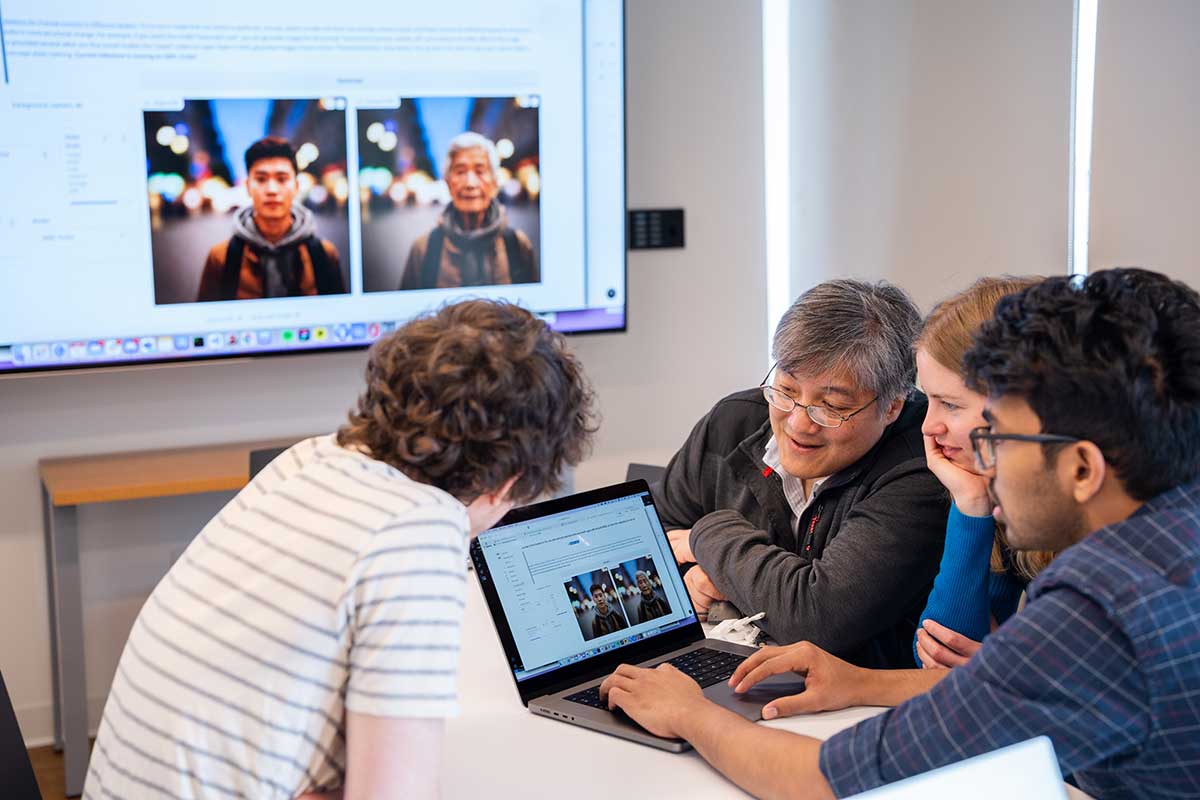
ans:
(855, 578)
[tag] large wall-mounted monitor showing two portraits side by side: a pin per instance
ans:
(229, 179)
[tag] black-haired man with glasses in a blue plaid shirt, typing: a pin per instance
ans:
(1093, 450)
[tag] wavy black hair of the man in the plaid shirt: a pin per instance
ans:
(1113, 359)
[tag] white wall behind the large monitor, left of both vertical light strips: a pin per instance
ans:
(697, 322)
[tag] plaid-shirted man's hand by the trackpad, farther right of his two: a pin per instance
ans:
(830, 683)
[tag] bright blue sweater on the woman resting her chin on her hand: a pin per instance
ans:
(967, 593)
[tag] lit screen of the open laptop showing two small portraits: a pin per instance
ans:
(583, 582)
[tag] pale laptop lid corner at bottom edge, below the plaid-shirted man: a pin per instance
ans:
(1028, 771)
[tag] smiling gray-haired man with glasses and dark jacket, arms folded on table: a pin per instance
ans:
(808, 498)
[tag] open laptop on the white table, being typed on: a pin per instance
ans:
(578, 586)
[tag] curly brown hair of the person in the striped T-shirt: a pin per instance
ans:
(472, 395)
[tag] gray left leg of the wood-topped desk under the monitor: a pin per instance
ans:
(67, 622)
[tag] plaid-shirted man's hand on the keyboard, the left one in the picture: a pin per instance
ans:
(656, 699)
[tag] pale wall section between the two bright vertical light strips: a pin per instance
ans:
(932, 141)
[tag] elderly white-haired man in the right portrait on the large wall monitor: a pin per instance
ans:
(473, 244)
